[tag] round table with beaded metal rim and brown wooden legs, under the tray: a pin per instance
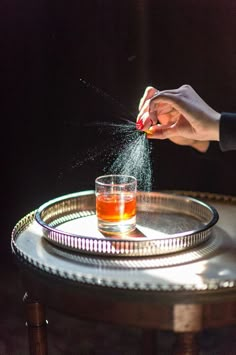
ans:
(185, 298)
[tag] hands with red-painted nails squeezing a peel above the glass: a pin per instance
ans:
(180, 115)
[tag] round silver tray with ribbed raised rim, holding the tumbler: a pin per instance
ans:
(166, 223)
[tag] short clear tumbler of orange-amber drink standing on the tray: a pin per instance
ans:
(116, 203)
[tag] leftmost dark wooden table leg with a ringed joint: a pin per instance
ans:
(36, 323)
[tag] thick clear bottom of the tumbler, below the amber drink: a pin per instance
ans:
(117, 227)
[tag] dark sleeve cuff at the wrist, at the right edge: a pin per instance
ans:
(227, 131)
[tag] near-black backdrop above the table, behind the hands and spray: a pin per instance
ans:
(120, 47)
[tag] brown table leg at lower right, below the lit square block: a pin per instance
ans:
(186, 344)
